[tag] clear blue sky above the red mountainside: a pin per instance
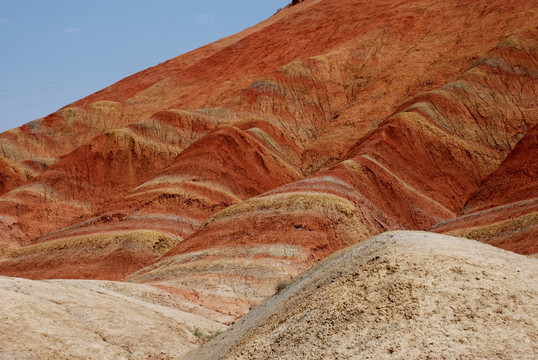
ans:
(53, 52)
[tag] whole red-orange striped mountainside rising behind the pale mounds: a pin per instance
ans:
(329, 123)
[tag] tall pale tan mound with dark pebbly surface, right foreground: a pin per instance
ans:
(400, 295)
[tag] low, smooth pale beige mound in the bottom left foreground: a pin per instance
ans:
(81, 319)
